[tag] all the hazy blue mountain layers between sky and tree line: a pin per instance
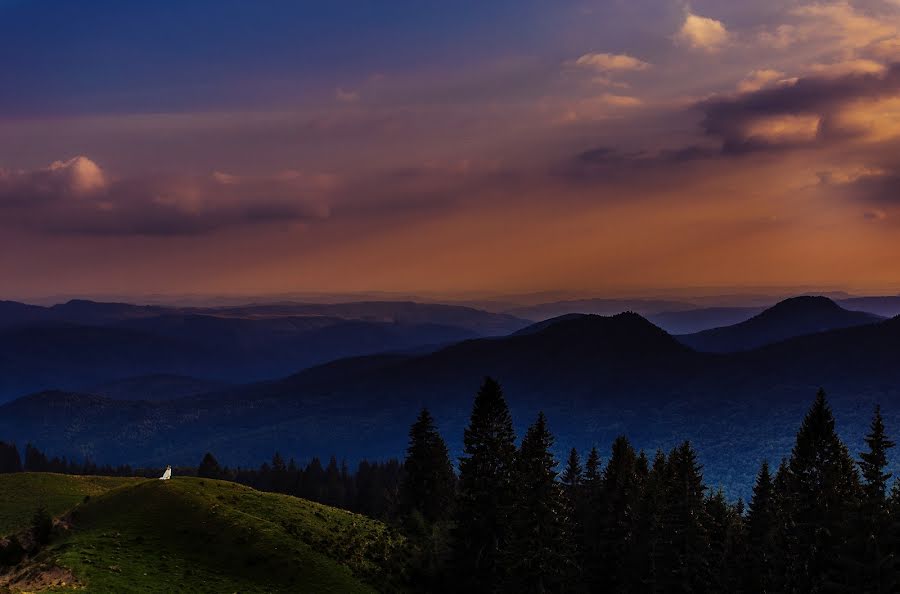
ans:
(157, 385)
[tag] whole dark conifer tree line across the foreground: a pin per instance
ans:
(509, 519)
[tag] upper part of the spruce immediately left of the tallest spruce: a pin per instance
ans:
(428, 479)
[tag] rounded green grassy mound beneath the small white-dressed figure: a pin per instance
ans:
(197, 535)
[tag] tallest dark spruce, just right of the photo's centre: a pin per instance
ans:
(485, 491)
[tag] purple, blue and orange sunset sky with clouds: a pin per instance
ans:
(594, 147)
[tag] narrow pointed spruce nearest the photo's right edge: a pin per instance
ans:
(875, 546)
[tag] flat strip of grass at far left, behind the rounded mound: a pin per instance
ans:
(22, 494)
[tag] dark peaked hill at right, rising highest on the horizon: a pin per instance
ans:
(793, 317)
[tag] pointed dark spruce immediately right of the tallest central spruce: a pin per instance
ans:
(535, 555)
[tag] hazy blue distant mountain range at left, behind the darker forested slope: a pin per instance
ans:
(80, 344)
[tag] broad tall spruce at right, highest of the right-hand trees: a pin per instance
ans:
(823, 498)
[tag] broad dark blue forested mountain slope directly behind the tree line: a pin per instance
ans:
(595, 377)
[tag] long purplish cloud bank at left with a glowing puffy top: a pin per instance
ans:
(76, 196)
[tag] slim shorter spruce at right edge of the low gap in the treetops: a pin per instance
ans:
(762, 532)
